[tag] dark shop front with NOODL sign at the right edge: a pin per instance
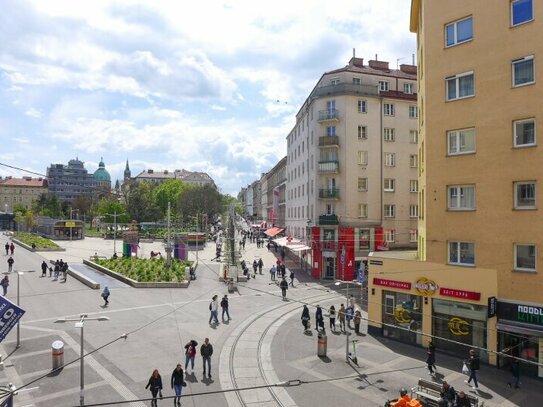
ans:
(520, 334)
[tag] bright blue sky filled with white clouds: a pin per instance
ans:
(207, 85)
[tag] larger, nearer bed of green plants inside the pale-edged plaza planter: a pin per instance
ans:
(147, 270)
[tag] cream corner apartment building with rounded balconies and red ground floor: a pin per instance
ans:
(352, 166)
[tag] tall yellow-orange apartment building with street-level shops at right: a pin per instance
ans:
(477, 277)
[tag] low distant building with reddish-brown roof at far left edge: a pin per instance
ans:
(20, 192)
